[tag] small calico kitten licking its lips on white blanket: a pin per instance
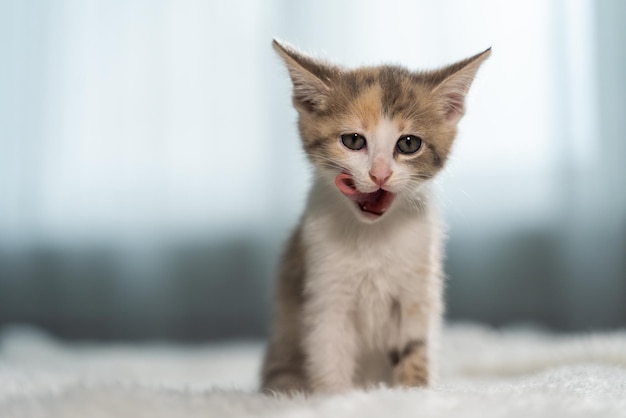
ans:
(359, 295)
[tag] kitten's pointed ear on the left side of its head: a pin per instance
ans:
(311, 78)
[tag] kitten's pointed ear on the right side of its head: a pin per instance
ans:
(453, 83)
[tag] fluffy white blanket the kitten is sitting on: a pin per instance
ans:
(485, 373)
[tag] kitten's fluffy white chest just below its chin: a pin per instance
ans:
(369, 271)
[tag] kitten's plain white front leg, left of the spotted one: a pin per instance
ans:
(330, 345)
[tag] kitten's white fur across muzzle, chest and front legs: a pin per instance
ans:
(356, 270)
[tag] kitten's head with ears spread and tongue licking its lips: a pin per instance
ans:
(377, 133)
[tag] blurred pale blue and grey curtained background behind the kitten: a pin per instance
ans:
(150, 168)
